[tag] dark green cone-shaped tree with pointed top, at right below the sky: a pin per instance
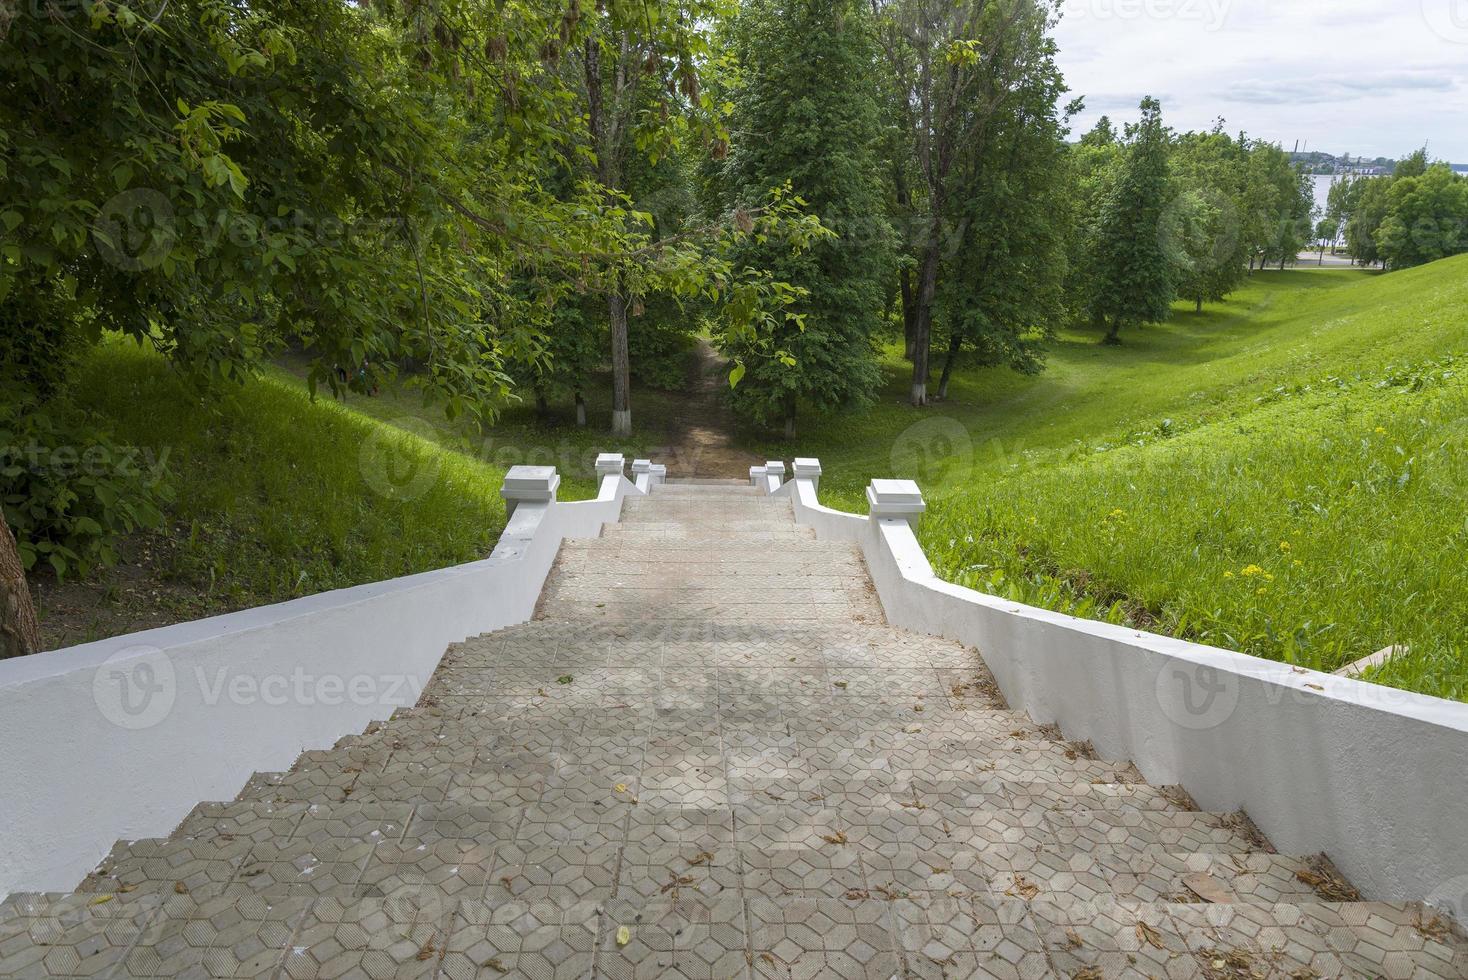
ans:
(1135, 275)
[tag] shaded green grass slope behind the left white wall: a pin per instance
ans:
(280, 497)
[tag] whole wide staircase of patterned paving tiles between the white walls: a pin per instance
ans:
(711, 758)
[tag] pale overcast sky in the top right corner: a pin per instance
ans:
(1362, 77)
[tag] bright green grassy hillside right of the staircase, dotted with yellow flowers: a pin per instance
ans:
(1284, 475)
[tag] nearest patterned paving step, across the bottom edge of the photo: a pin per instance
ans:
(685, 932)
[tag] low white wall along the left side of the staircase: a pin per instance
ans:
(121, 739)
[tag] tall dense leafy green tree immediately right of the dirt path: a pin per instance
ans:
(807, 117)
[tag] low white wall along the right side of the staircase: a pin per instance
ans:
(1373, 777)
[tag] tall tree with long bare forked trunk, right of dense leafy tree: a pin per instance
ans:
(953, 65)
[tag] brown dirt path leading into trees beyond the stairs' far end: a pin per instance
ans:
(700, 438)
